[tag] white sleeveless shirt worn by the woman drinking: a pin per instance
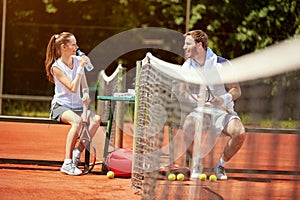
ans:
(63, 95)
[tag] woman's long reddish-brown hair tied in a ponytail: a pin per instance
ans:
(53, 51)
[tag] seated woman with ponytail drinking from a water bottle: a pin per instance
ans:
(66, 71)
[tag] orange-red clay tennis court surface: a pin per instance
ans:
(267, 167)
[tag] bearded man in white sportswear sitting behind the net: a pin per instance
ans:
(200, 57)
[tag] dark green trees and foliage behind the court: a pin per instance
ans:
(235, 28)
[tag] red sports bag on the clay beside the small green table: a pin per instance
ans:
(120, 162)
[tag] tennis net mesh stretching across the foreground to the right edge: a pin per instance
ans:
(164, 105)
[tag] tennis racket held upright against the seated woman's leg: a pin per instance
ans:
(90, 150)
